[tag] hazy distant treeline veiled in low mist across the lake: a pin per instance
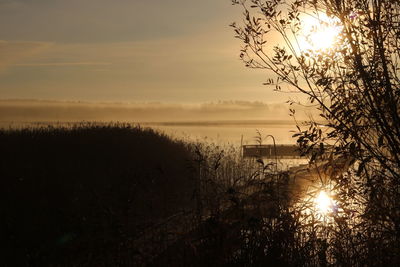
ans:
(39, 110)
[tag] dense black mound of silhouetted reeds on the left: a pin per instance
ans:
(79, 194)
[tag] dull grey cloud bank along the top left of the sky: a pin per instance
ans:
(77, 21)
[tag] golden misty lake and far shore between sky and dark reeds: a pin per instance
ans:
(221, 122)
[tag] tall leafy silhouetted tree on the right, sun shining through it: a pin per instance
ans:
(354, 82)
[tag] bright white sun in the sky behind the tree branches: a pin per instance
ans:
(319, 33)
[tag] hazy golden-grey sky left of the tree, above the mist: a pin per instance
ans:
(169, 51)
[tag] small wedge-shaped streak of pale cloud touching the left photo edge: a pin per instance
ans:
(14, 52)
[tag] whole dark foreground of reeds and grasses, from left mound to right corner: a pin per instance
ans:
(117, 195)
